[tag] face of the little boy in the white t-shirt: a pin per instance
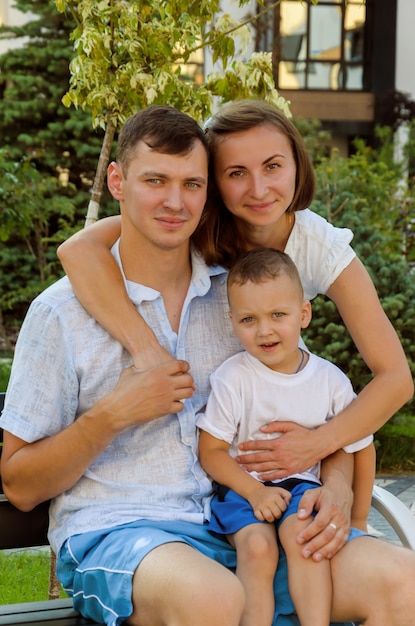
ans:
(267, 318)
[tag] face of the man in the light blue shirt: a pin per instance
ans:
(162, 196)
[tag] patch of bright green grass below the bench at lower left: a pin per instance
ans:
(24, 576)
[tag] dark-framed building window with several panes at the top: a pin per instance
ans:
(317, 46)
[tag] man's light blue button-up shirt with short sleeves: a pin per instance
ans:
(65, 362)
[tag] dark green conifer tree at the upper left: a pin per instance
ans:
(33, 121)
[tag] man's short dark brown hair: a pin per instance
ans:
(163, 128)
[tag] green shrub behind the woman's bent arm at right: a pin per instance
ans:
(362, 193)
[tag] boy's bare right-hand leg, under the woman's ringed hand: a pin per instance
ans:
(309, 582)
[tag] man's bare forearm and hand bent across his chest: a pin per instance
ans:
(34, 472)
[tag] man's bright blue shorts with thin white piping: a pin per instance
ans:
(97, 568)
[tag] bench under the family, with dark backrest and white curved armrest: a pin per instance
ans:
(21, 530)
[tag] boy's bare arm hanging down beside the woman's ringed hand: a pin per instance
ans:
(363, 480)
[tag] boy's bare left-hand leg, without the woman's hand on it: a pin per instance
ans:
(257, 560)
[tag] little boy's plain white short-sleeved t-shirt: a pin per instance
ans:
(246, 394)
